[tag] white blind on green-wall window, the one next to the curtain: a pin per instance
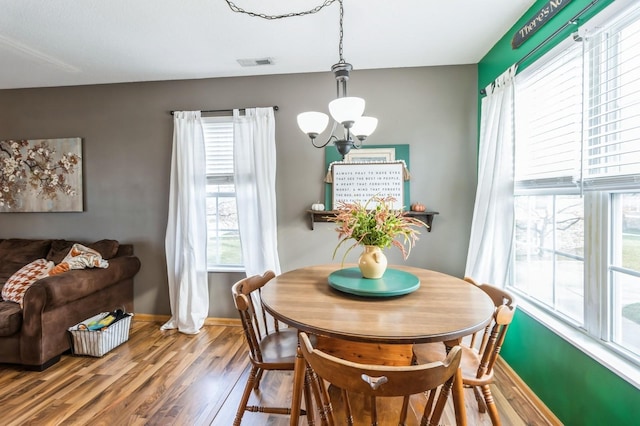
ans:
(548, 109)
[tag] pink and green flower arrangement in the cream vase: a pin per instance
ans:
(381, 226)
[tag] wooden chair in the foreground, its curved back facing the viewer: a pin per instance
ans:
(375, 381)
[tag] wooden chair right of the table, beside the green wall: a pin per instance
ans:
(481, 352)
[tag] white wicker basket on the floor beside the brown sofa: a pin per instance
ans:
(99, 342)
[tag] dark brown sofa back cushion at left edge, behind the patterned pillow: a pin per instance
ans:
(17, 252)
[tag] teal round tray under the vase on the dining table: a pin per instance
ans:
(393, 283)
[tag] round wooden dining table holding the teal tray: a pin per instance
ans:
(443, 308)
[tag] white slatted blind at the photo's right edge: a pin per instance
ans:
(612, 116)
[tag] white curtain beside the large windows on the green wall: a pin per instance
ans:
(491, 240)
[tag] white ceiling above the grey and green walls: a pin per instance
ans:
(71, 42)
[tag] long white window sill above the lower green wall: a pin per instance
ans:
(598, 351)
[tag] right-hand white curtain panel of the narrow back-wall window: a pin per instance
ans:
(255, 177)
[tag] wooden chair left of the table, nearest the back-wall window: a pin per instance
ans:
(270, 347)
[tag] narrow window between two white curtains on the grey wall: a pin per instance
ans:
(223, 246)
